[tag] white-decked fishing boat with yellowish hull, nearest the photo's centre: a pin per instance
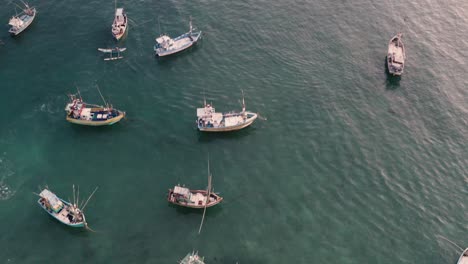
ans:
(210, 121)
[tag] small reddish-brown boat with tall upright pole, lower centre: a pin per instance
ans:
(199, 199)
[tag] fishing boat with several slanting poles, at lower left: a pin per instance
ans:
(65, 212)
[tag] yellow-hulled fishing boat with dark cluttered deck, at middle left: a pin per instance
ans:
(81, 113)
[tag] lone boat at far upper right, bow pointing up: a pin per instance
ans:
(396, 55)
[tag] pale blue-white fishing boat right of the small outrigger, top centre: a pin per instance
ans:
(166, 45)
